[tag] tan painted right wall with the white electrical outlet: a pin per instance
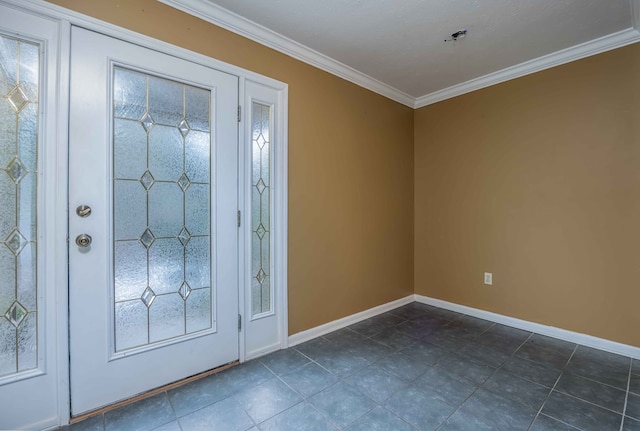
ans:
(538, 181)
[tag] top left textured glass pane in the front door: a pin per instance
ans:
(129, 94)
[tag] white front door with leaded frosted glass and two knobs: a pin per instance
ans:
(153, 250)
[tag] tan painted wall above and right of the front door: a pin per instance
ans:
(350, 169)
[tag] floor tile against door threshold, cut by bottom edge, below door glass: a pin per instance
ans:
(143, 415)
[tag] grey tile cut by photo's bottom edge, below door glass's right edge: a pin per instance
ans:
(225, 415)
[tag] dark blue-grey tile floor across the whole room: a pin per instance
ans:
(414, 368)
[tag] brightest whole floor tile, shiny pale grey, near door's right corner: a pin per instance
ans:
(266, 400)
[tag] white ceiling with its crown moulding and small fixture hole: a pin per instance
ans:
(400, 43)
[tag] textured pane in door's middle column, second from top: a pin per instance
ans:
(166, 153)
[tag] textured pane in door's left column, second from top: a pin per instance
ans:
(130, 142)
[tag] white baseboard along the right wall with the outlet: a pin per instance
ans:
(562, 334)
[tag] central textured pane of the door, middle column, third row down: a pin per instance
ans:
(166, 210)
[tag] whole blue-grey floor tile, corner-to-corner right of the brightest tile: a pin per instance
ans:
(342, 404)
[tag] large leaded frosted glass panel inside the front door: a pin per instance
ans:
(161, 203)
